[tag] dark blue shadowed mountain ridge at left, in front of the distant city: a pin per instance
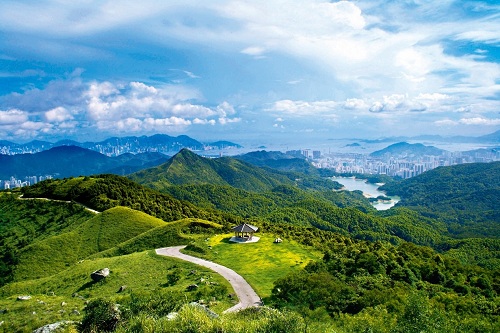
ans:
(67, 161)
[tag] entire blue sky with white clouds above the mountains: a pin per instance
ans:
(248, 71)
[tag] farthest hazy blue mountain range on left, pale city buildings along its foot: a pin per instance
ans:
(115, 146)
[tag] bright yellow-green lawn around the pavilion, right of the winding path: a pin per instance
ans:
(261, 263)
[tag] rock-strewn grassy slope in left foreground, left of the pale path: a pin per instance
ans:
(143, 271)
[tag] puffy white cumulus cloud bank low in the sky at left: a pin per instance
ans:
(112, 108)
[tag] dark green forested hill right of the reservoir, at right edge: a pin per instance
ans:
(464, 196)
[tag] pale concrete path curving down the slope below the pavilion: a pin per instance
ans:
(247, 296)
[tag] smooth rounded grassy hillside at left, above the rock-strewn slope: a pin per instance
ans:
(104, 231)
